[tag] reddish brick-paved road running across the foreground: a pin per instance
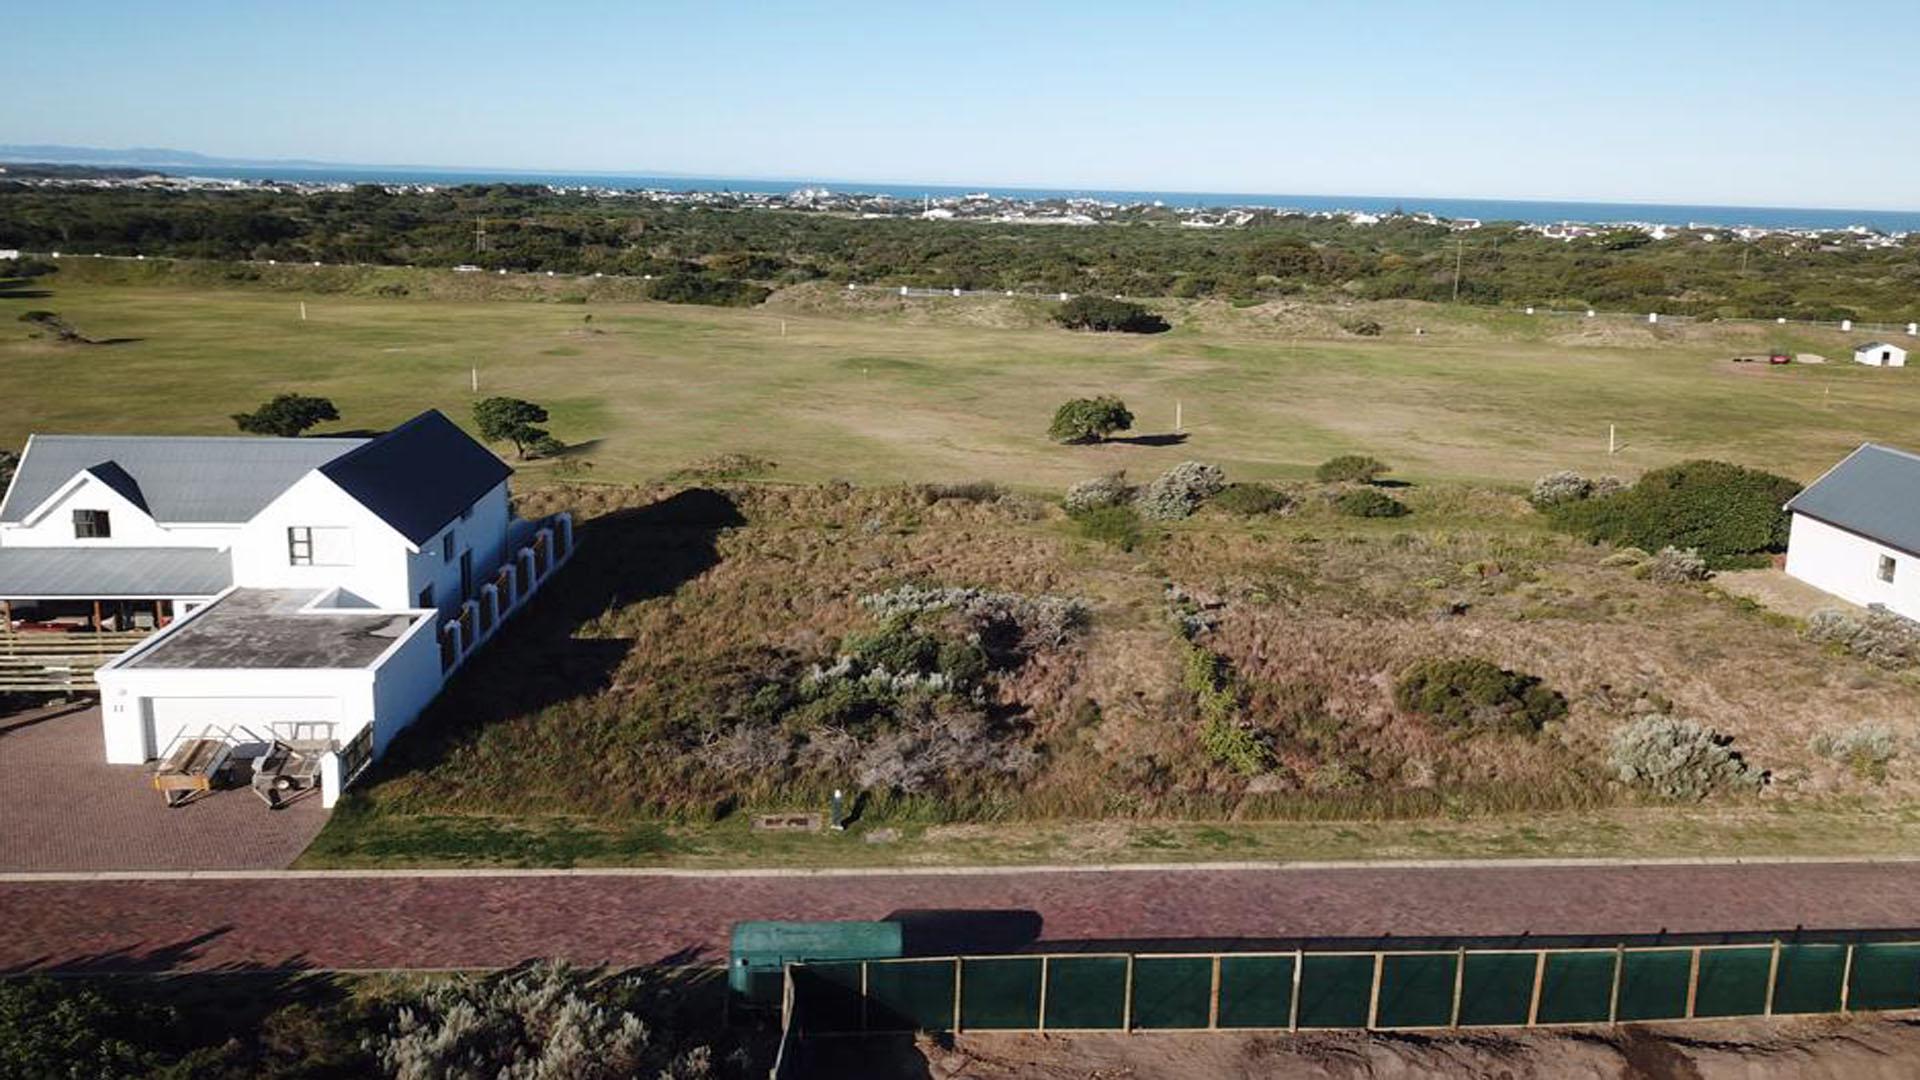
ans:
(633, 920)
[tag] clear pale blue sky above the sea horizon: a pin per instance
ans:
(1756, 103)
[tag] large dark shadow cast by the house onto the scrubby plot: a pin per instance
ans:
(567, 645)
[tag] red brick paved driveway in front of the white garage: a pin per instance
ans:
(64, 808)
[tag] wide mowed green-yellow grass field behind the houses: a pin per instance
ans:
(644, 389)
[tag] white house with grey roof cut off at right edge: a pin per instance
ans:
(1856, 531)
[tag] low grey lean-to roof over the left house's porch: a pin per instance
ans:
(124, 574)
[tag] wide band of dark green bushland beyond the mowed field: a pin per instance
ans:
(708, 257)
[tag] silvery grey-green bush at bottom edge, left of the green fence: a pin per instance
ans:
(542, 1023)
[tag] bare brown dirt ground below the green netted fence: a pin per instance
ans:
(1748, 1050)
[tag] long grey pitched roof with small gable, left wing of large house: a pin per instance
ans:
(178, 479)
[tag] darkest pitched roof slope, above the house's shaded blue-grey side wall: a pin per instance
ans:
(420, 476)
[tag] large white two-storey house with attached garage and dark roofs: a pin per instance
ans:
(316, 589)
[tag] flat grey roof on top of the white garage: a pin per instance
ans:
(268, 629)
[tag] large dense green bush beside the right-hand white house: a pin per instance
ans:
(1723, 512)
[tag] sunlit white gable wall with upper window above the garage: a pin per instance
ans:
(377, 562)
